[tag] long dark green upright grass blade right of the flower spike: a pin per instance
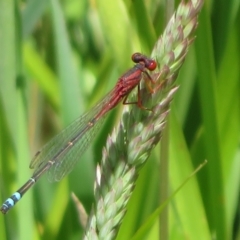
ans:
(209, 107)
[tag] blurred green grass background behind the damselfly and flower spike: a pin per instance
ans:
(58, 58)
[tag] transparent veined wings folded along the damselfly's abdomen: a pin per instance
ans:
(64, 155)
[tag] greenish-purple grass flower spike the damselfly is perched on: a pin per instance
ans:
(139, 131)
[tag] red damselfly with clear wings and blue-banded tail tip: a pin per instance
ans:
(59, 155)
